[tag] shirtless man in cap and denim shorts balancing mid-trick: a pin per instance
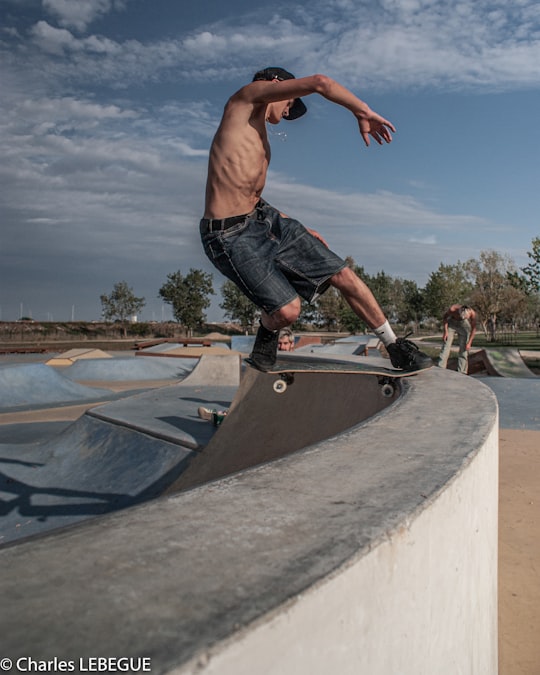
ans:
(271, 257)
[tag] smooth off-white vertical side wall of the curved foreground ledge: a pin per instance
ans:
(421, 602)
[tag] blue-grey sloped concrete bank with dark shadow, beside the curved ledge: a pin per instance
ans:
(91, 468)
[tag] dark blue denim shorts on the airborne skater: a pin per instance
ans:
(271, 258)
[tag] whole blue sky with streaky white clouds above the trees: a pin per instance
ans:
(108, 109)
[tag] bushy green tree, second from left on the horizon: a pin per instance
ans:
(188, 296)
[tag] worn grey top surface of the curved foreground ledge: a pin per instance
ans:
(176, 578)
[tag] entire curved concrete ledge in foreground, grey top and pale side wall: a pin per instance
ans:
(374, 552)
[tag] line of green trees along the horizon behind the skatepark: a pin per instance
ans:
(500, 293)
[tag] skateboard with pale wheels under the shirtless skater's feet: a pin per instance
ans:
(286, 368)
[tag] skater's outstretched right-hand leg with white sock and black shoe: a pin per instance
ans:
(403, 353)
